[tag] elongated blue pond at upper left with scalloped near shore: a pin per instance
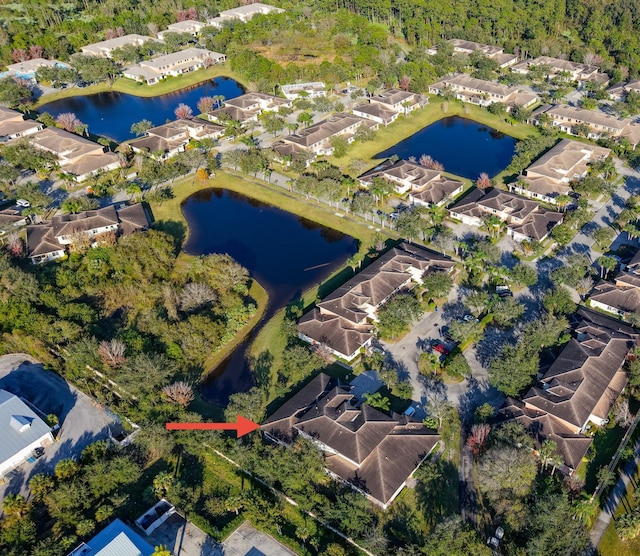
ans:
(111, 114)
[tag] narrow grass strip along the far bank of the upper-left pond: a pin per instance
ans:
(123, 85)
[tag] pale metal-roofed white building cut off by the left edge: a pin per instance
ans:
(22, 431)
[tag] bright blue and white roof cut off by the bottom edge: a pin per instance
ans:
(115, 539)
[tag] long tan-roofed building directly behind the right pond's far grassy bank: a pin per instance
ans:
(482, 92)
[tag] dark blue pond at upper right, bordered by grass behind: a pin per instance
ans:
(465, 148)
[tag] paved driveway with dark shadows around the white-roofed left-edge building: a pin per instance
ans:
(82, 421)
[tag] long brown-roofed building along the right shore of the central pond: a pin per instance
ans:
(343, 321)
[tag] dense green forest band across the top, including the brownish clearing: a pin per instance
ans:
(340, 41)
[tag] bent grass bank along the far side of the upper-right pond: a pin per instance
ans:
(404, 127)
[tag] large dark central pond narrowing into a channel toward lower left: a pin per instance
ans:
(285, 253)
